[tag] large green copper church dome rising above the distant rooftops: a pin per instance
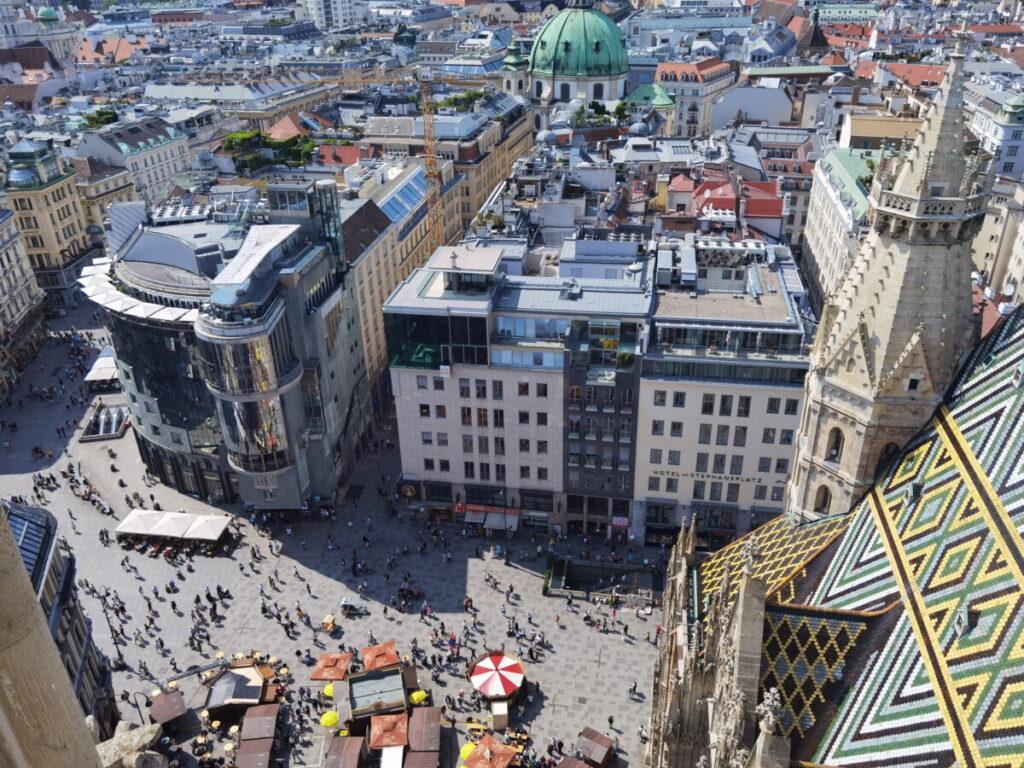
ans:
(579, 42)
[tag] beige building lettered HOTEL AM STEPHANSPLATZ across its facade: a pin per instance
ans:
(721, 395)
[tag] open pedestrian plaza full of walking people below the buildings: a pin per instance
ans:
(585, 675)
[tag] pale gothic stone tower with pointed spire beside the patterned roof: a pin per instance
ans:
(897, 331)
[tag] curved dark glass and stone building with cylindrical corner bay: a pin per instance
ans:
(238, 356)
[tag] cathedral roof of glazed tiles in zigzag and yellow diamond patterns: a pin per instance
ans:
(931, 563)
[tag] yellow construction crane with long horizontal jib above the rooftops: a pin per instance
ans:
(423, 77)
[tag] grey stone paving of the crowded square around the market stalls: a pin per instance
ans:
(584, 678)
